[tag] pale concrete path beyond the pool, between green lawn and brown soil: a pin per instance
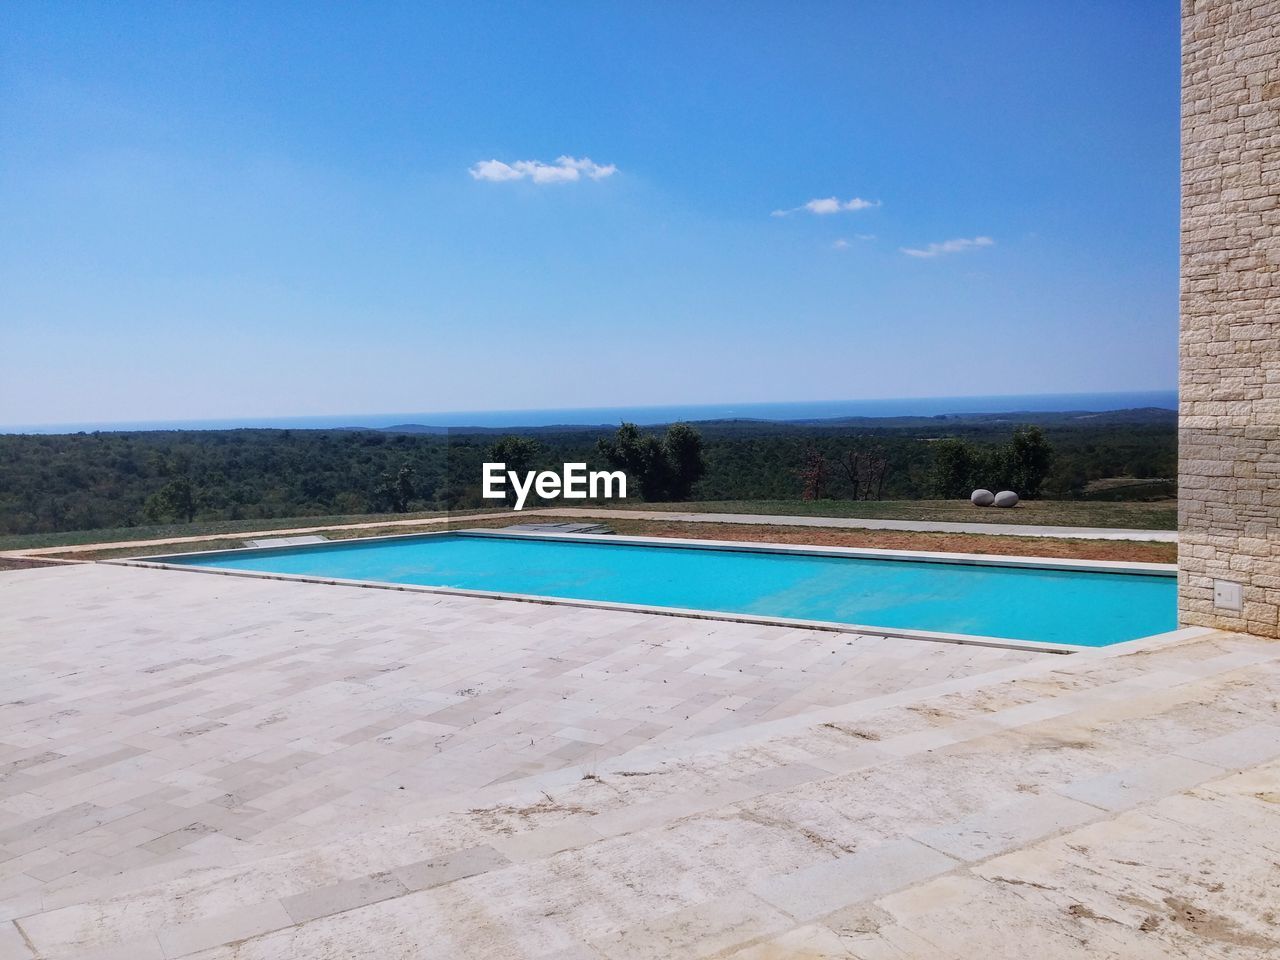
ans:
(925, 527)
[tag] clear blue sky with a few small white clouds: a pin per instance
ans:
(221, 211)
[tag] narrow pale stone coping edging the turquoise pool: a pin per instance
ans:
(159, 563)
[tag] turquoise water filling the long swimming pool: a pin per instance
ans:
(1022, 604)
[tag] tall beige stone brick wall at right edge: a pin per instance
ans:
(1229, 429)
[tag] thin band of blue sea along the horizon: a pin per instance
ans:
(664, 414)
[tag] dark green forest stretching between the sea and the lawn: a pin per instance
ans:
(86, 482)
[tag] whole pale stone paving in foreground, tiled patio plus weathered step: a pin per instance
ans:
(212, 767)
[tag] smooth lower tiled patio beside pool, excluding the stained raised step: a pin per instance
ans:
(157, 715)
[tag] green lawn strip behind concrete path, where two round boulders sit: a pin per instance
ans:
(1160, 515)
